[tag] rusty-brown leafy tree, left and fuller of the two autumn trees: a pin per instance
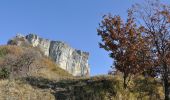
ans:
(126, 45)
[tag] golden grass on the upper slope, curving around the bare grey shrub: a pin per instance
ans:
(41, 67)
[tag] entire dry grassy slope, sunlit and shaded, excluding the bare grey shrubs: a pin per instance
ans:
(52, 82)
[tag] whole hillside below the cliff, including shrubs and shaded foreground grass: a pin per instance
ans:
(26, 74)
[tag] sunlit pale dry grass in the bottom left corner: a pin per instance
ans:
(16, 90)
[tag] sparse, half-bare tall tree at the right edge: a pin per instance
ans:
(155, 17)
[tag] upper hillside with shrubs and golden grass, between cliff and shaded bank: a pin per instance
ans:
(29, 61)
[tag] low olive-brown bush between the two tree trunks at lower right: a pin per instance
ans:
(148, 88)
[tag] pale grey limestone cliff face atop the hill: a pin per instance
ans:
(72, 60)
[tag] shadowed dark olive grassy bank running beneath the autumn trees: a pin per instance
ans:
(99, 88)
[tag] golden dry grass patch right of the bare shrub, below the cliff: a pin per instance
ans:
(46, 68)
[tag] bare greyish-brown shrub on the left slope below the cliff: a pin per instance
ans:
(20, 65)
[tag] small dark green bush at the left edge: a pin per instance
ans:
(4, 73)
